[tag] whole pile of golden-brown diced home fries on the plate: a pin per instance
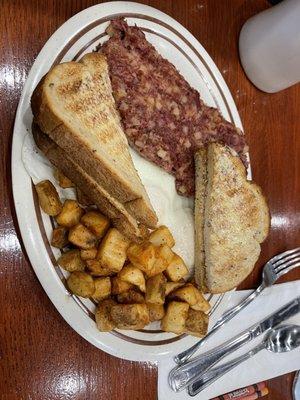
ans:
(134, 284)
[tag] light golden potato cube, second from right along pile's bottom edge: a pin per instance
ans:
(175, 317)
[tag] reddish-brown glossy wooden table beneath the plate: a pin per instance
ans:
(41, 357)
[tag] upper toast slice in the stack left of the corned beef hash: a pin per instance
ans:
(73, 104)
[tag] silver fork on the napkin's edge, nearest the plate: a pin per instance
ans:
(273, 270)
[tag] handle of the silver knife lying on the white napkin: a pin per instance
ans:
(183, 375)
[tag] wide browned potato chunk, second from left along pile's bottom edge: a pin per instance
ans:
(130, 316)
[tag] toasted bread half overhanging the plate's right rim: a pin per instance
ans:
(233, 221)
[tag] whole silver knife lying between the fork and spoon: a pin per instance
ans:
(183, 375)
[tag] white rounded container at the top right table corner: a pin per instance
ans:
(269, 46)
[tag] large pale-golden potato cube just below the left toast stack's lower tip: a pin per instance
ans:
(112, 250)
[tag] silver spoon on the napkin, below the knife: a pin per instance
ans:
(279, 340)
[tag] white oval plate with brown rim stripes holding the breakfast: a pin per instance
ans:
(79, 35)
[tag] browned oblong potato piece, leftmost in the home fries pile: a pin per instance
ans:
(48, 198)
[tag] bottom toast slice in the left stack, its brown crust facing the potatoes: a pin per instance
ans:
(107, 204)
